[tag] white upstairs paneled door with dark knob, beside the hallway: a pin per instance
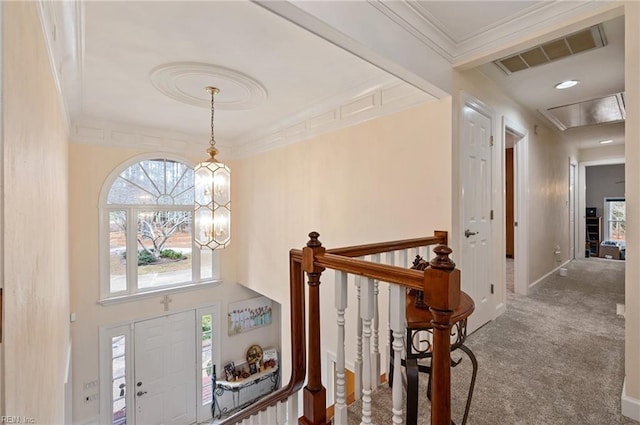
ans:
(476, 209)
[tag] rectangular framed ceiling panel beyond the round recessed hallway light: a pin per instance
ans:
(602, 110)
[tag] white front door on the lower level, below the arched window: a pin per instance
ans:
(165, 370)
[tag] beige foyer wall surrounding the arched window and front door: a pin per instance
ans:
(89, 166)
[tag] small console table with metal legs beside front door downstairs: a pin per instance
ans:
(243, 393)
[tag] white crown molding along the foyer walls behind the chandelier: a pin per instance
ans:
(365, 105)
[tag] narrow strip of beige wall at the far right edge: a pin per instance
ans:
(632, 172)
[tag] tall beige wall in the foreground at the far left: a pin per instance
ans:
(36, 278)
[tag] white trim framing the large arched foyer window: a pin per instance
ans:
(133, 293)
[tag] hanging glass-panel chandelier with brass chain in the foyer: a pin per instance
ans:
(212, 214)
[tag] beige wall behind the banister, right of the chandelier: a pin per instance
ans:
(384, 179)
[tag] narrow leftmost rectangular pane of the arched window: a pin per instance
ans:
(117, 251)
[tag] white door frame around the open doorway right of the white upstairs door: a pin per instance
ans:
(521, 207)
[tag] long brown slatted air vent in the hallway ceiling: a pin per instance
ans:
(587, 39)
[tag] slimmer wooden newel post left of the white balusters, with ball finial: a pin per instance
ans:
(314, 394)
